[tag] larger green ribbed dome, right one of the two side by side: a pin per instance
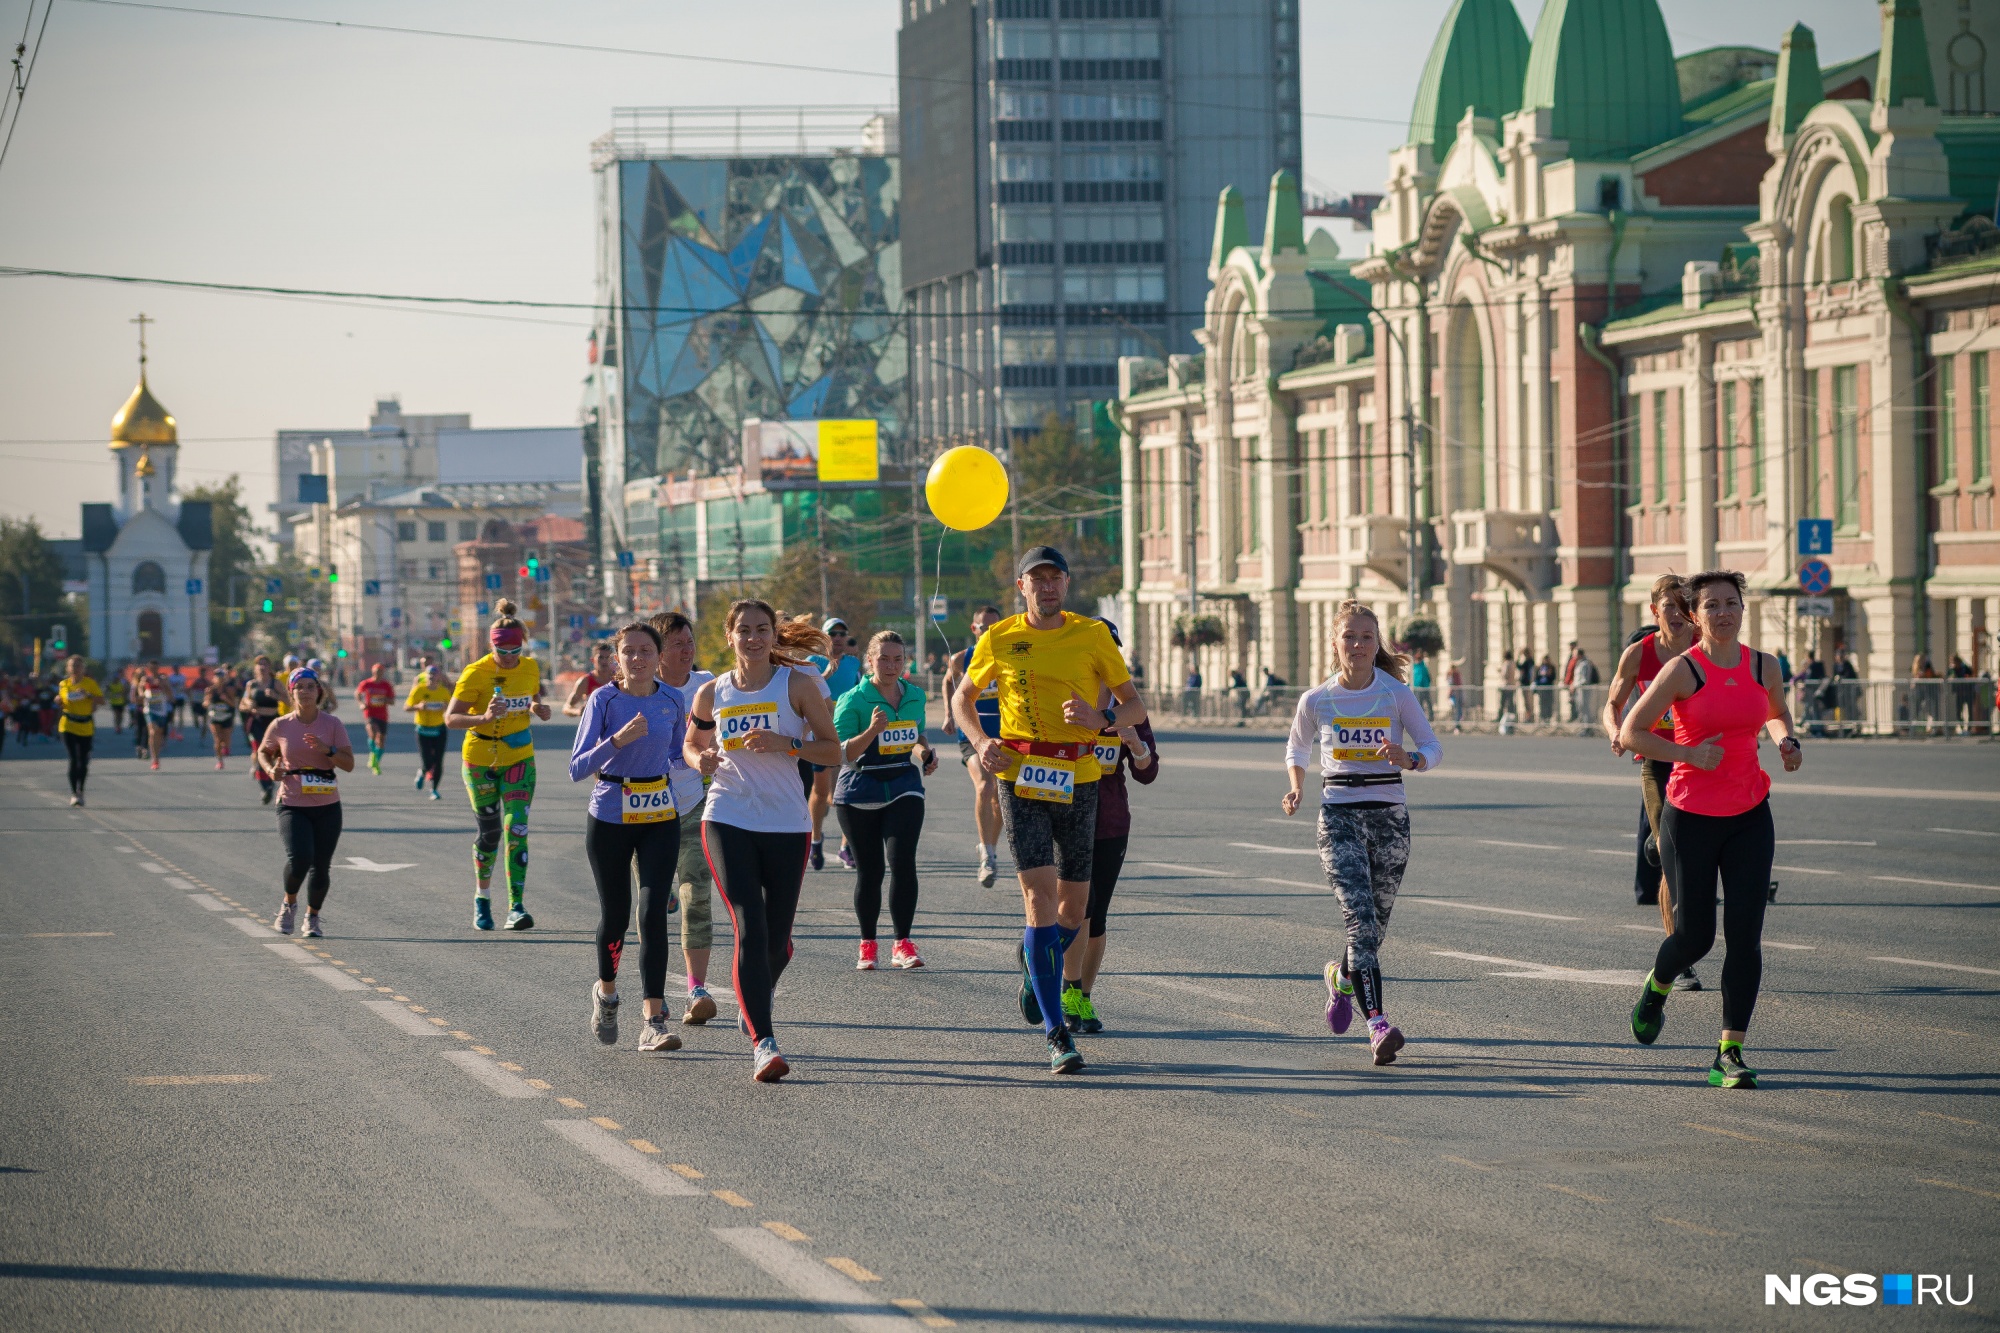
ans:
(1607, 73)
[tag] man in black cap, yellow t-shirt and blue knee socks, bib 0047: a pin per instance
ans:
(1049, 665)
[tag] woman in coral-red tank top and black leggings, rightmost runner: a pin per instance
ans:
(1717, 820)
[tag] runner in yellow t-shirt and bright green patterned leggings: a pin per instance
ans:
(495, 702)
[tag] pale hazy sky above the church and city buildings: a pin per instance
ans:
(219, 149)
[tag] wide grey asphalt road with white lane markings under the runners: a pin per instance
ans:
(205, 1126)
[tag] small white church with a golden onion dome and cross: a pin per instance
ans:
(147, 553)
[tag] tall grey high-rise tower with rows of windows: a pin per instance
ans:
(1061, 173)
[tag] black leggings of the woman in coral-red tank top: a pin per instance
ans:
(1695, 850)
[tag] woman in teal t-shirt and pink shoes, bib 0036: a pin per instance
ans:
(879, 796)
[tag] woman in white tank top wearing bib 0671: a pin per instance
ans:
(757, 826)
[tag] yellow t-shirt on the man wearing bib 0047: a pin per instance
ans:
(1039, 672)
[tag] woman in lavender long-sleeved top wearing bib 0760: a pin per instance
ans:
(627, 742)
